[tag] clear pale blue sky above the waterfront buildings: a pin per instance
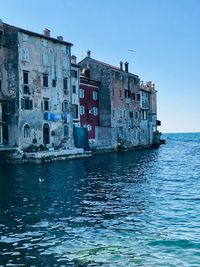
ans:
(164, 35)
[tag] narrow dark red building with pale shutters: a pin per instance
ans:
(89, 103)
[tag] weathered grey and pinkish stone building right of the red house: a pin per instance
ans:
(127, 110)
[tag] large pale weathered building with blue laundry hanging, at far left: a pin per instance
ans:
(35, 89)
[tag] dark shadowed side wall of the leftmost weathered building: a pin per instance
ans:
(9, 79)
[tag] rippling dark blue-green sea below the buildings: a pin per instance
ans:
(139, 208)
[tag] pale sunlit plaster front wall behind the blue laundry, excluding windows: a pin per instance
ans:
(44, 57)
